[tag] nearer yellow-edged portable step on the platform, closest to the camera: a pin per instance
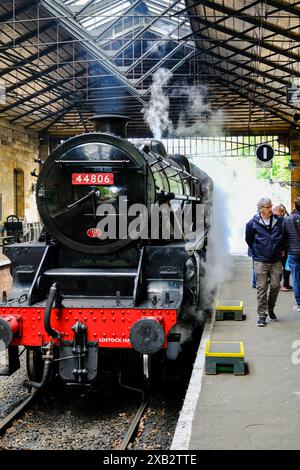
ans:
(225, 356)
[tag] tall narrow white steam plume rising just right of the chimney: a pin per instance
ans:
(156, 112)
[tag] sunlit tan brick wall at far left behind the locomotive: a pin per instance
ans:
(18, 148)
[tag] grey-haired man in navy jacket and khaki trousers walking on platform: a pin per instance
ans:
(265, 239)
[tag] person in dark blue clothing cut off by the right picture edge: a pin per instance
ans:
(291, 234)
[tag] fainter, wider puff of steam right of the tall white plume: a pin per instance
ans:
(206, 121)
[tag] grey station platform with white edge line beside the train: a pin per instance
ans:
(259, 410)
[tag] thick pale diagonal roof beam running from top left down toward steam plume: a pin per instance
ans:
(76, 30)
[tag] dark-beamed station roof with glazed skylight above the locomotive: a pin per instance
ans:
(62, 61)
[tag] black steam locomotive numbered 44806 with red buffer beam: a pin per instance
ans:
(79, 293)
